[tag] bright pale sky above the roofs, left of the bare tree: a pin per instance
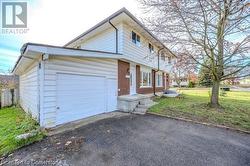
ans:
(56, 22)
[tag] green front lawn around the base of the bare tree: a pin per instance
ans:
(194, 106)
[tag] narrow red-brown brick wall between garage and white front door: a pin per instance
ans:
(123, 82)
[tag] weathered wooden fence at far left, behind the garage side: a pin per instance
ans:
(8, 97)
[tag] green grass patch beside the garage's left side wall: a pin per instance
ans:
(13, 122)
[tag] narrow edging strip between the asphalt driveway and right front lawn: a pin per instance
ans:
(202, 123)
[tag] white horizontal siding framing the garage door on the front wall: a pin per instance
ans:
(83, 66)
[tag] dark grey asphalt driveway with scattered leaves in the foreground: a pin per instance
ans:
(138, 140)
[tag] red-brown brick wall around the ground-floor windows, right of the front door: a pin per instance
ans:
(146, 90)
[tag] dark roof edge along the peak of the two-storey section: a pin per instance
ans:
(122, 10)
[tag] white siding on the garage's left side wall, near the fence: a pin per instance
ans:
(29, 90)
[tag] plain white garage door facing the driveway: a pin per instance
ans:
(80, 96)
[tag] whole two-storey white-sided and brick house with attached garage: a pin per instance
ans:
(102, 70)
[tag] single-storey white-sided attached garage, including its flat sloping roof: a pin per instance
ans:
(67, 84)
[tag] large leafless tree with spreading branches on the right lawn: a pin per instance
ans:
(214, 30)
